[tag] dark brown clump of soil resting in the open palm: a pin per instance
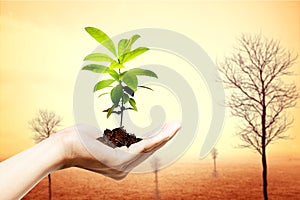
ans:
(118, 137)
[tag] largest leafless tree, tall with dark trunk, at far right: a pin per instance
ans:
(258, 73)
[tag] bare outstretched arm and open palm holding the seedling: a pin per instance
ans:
(20, 173)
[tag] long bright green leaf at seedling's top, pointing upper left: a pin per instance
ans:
(102, 38)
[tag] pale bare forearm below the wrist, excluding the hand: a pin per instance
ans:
(23, 171)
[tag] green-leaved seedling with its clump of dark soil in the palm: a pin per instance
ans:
(123, 83)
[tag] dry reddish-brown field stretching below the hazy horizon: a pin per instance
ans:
(182, 180)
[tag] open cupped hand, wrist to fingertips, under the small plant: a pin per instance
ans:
(84, 151)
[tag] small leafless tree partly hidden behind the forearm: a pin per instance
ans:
(44, 125)
